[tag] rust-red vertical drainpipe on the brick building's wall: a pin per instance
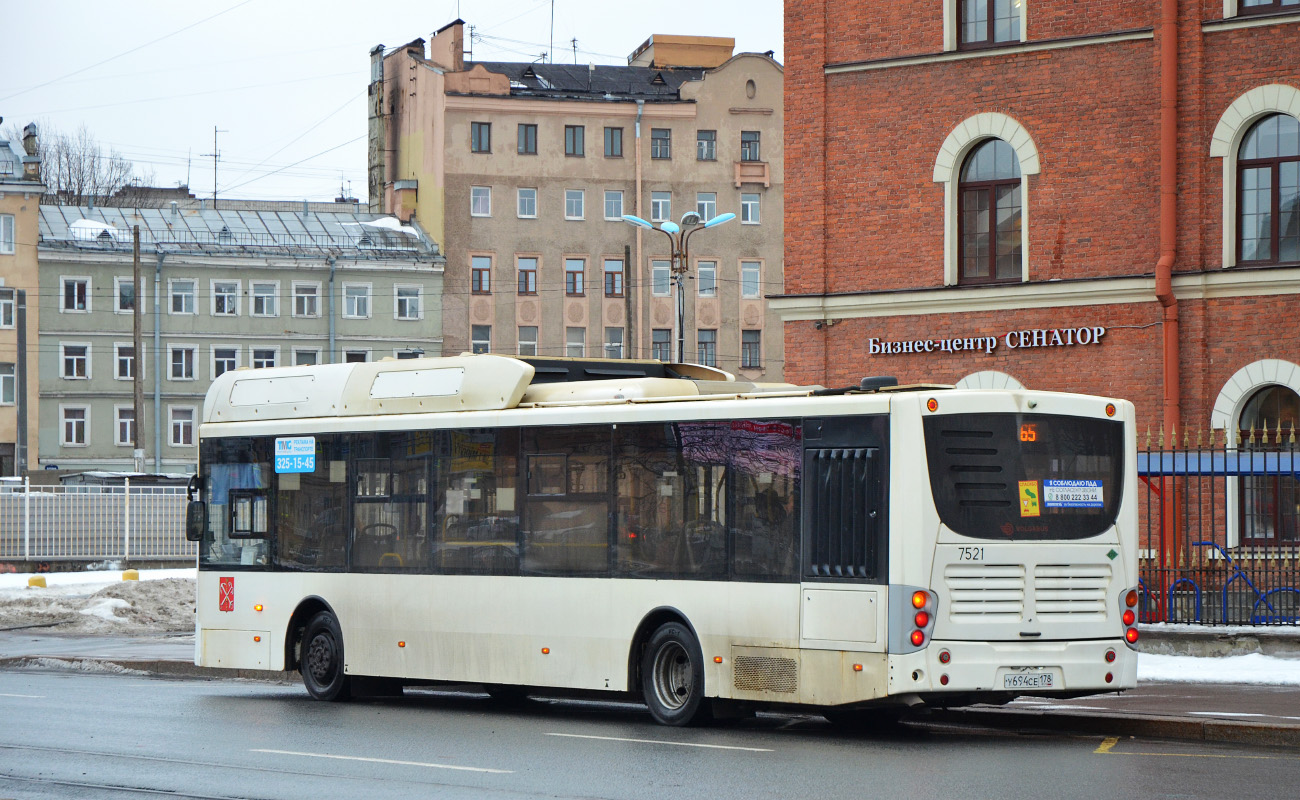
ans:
(1169, 207)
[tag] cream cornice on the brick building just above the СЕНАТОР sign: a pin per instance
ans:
(1050, 295)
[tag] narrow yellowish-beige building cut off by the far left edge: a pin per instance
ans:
(20, 198)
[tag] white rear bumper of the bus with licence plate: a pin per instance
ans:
(1020, 668)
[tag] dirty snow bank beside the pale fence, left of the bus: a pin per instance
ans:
(99, 603)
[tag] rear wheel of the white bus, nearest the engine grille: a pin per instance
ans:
(673, 677)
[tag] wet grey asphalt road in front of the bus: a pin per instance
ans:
(94, 736)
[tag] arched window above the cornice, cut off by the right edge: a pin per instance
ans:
(1269, 193)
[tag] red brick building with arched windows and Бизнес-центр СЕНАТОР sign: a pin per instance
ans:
(1087, 197)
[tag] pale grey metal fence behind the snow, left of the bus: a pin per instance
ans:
(90, 524)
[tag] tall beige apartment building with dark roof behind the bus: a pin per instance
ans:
(525, 171)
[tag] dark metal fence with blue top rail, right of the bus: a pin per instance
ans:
(1221, 530)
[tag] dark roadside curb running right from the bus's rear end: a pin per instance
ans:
(1125, 725)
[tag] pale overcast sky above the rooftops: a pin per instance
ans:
(285, 80)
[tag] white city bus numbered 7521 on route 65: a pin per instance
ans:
(666, 533)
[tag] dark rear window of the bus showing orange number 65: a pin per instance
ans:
(1025, 477)
